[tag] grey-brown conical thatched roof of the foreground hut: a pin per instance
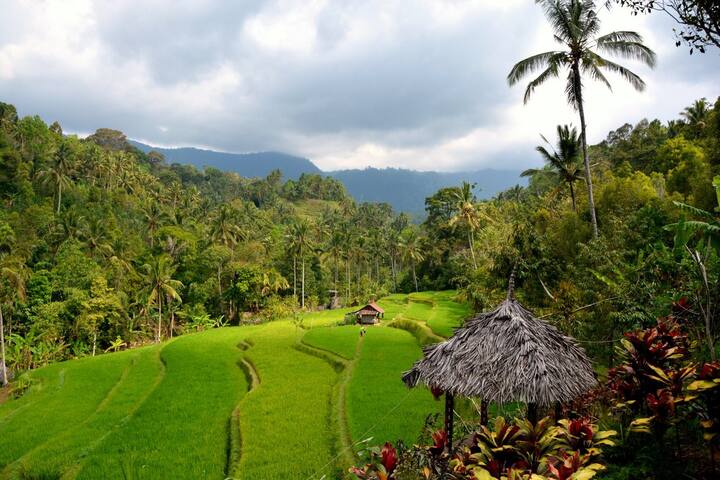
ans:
(506, 355)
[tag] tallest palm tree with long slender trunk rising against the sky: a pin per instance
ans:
(576, 25)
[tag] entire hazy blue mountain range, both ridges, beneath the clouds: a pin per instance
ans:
(404, 189)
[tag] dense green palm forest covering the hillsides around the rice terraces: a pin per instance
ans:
(105, 245)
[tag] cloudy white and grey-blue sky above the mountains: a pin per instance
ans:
(415, 84)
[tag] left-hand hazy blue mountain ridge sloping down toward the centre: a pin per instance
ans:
(258, 164)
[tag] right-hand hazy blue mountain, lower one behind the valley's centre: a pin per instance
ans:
(406, 190)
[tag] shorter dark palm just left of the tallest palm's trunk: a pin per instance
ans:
(563, 163)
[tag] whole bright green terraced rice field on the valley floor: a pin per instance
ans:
(276, 400)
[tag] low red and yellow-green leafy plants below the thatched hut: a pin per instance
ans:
(510, 450)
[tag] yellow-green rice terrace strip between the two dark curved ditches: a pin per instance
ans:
(285, 422)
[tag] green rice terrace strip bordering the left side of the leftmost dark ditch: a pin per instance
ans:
(181, 430)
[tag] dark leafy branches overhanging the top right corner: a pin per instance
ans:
(699, 19)
